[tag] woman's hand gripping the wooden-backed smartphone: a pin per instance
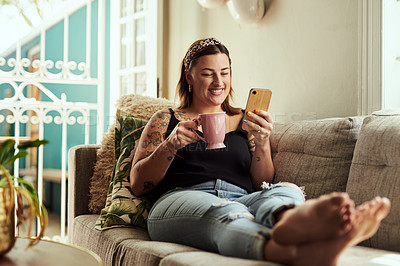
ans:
(261, 125)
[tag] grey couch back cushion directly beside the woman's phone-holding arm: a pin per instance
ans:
(315, 154)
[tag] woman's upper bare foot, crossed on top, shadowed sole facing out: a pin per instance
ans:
(323, 218)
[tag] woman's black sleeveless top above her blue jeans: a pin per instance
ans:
(198, 165)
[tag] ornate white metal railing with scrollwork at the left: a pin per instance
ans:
(19, 109)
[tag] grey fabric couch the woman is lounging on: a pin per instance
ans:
(359, 155)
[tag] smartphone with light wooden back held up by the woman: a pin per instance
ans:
(258, 99)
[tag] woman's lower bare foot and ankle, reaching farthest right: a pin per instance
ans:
(368, 217)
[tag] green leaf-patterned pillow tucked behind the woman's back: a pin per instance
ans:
(122, 208)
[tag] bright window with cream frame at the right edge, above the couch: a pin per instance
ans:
(379, 78)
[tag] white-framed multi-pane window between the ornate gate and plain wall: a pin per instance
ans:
(134, 57)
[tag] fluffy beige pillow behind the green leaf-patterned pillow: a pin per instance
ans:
(133, 104)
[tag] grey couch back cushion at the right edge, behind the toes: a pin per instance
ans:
(376, 169)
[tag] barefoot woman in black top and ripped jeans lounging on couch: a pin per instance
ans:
(214, 199)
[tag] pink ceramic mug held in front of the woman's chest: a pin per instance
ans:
(213, 125)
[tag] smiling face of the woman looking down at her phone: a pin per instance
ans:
(210, 79)
